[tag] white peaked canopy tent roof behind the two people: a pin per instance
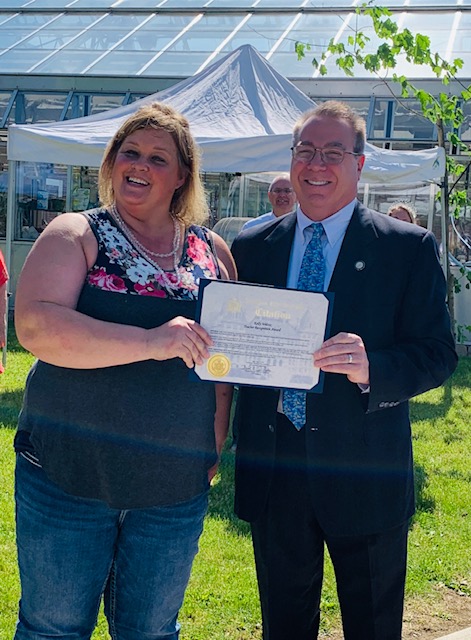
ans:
(241, 112)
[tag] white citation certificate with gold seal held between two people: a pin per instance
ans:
(263, 336)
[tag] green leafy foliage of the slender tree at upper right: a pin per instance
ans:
(444, 110)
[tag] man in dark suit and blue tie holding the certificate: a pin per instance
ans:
(344, 477)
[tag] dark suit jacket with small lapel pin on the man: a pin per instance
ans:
(390, 290)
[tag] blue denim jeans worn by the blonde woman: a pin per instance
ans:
(73, 551)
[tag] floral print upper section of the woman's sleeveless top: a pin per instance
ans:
(121, 268)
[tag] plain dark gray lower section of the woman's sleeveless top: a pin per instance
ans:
(136, 435)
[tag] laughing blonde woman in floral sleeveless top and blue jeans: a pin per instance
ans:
(115, 445)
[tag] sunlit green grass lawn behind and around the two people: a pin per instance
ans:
(221, 602)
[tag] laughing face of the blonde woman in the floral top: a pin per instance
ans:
(146, 172)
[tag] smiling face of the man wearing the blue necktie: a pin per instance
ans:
(323, 189)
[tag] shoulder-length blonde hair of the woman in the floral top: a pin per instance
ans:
(189, 201)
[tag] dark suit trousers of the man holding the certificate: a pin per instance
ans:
(289, 551)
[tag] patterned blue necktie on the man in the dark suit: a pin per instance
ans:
(311, 278)
